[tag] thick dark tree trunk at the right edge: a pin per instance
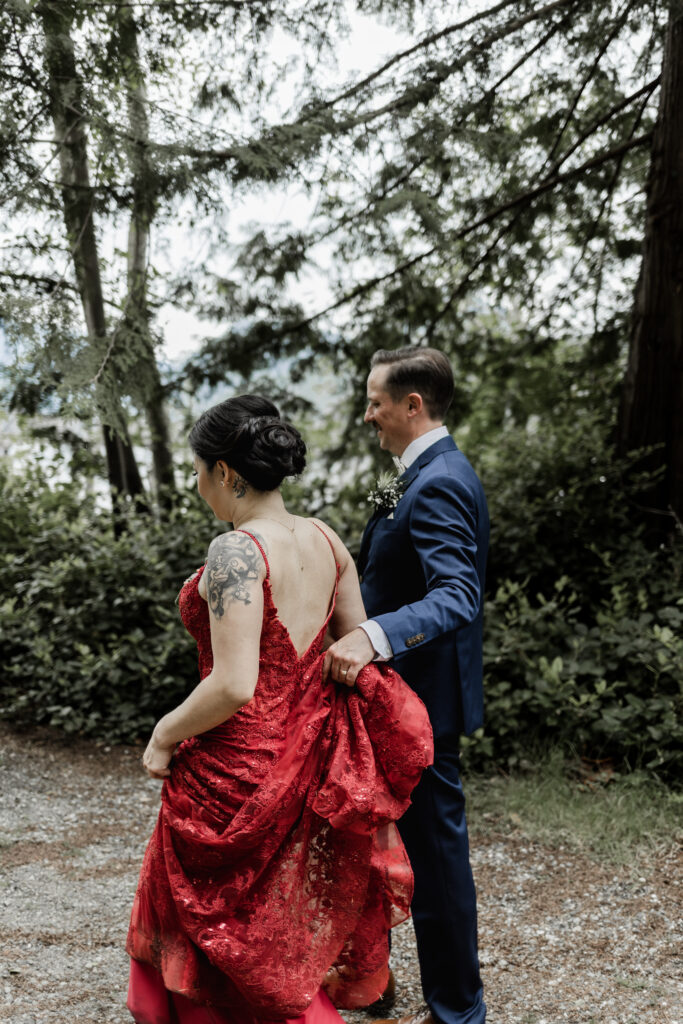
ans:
(652, 408)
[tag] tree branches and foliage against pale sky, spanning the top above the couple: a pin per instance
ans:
(494, 188)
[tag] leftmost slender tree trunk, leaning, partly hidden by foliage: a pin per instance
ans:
(67, 107)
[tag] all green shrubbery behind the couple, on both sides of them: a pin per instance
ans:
(583, 638)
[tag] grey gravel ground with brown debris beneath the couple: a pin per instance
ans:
(563, 937)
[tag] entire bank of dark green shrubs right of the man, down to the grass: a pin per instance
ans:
(584, 623)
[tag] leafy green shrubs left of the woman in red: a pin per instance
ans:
(91, 636)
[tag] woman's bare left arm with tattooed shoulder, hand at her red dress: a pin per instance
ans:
(234, 583)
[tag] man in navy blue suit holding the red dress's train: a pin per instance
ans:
(422, 570)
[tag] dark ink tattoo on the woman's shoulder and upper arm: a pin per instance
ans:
(233, 570)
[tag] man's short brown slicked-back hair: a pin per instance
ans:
(425, 371)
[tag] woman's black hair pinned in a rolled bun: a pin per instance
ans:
(248, 434)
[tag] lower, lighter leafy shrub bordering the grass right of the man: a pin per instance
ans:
(608, 690)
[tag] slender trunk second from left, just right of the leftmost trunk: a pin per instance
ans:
(145, 206)
